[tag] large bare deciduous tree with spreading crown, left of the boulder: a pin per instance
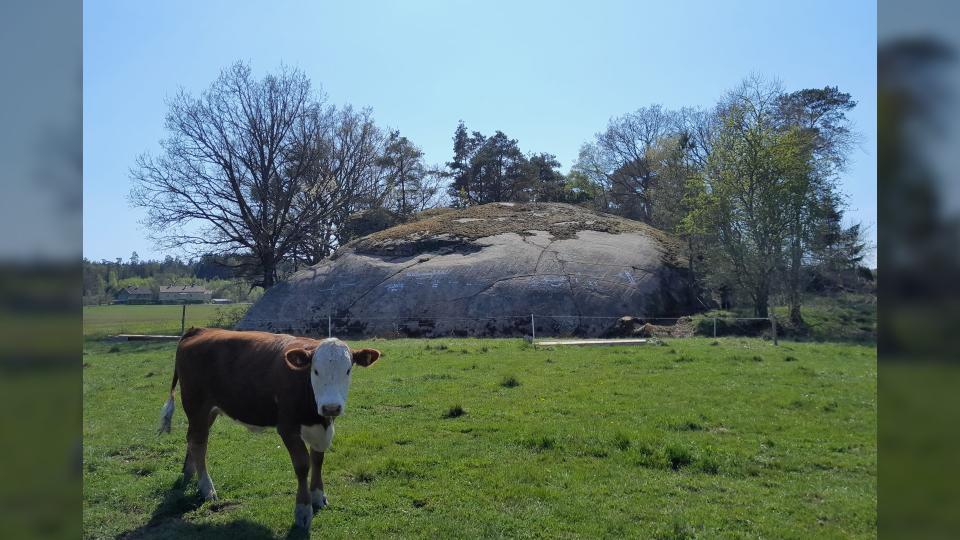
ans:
(235, 172)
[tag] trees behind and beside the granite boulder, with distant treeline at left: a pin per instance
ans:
(264, 176)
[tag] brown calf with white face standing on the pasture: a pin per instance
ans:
(262, 380)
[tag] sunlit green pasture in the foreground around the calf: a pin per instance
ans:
(695, 438)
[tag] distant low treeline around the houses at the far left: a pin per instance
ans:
(103, 279)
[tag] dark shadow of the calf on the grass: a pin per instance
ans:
(167, 521)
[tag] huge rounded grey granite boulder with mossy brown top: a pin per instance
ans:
(482, 271)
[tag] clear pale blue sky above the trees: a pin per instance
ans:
(549, 74)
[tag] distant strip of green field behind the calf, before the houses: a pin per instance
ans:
(102, 321)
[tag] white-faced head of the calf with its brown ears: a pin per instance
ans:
(330, 365)
